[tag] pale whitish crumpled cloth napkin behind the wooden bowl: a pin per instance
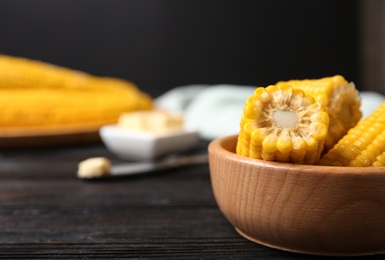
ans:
(216, 110)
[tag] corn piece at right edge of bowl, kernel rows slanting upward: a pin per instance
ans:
(363, 145)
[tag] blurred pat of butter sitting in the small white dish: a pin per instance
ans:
(153, 121)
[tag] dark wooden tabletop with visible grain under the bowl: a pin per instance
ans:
(46, 212)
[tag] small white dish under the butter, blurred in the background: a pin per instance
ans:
(141, 145)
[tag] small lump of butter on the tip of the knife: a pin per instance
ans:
(94, 167)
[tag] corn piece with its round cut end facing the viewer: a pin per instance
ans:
(280, 123)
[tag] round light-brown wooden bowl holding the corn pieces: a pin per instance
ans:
(321, 210)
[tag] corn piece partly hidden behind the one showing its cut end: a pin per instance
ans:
(340, 99)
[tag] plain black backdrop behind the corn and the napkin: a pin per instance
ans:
(162, 44)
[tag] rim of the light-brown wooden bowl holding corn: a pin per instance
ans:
(216, 147)
